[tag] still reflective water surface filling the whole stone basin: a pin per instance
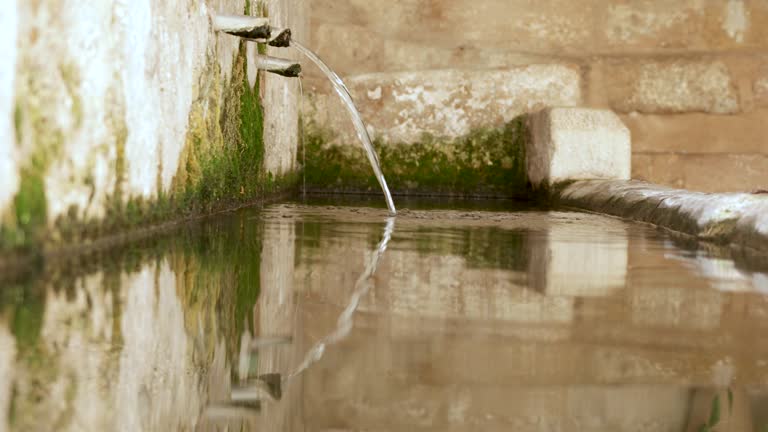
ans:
(302, 317)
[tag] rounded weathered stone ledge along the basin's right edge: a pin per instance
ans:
(729, 218)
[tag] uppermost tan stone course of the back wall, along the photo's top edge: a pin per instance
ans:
(559, 27)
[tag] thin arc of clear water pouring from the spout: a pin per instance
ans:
(357, 120)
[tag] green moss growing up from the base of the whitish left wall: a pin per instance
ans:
(221, 168)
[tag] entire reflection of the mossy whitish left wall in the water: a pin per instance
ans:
(144, 343)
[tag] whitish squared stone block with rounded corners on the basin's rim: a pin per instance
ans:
(577, 143)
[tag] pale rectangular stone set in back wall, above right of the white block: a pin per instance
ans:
(671, 87)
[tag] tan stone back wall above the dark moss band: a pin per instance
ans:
(689, 78)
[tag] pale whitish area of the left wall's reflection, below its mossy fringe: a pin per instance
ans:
(101, 368)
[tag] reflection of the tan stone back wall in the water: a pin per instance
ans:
(444, 341)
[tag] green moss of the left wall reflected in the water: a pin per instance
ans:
(217, 266)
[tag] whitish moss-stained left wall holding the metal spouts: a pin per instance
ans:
(117, 113)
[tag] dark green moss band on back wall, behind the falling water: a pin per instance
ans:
(487, 162)
